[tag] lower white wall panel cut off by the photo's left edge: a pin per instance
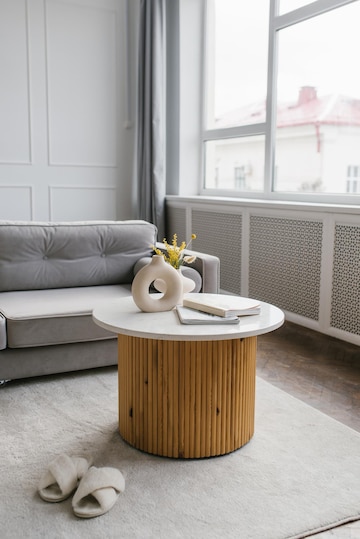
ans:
(16, 203)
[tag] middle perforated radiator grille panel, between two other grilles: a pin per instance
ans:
(285, 263)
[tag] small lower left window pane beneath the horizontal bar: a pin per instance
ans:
(235, 164)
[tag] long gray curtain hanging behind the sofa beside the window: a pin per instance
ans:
(151, 118)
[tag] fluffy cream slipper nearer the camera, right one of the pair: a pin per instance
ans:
(97, 492)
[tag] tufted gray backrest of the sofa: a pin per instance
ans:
(60, 255)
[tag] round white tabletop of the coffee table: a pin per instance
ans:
(123, 316)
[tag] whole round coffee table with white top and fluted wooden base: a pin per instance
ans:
(185, 391)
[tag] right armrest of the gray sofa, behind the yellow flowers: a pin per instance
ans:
(207, 265)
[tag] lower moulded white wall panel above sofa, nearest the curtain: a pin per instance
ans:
(82, 203)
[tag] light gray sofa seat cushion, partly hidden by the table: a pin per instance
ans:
(56, 316)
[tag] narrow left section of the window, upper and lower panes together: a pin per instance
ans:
(235, 97)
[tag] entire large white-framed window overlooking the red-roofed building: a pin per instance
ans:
(282, 99)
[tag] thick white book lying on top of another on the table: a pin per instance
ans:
(222, 305)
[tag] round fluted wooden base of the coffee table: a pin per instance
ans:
(186, 399)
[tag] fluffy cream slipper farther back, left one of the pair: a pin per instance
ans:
(62, 477)
